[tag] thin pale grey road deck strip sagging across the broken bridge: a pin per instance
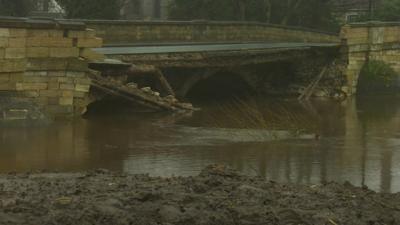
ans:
(188, 48)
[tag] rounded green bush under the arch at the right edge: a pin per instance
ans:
(377, 75)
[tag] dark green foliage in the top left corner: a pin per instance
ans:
(19, 8)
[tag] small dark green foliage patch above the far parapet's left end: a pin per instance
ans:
(91, 9)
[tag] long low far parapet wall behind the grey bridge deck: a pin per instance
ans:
(134, 32)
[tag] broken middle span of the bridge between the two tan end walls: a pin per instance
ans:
(254, 55)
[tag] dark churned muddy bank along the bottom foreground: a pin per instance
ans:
(216, 196)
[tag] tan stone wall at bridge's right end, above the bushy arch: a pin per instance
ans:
(369, 41)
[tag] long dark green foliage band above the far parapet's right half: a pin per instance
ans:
(311, 13)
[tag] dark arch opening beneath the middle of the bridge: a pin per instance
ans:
(219, 86)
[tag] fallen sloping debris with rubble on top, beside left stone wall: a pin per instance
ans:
(144, 96)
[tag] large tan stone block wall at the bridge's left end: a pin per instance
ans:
(46, 62)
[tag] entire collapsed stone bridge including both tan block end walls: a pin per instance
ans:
(47, 62)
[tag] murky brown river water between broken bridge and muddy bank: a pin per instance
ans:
(359, 142)
